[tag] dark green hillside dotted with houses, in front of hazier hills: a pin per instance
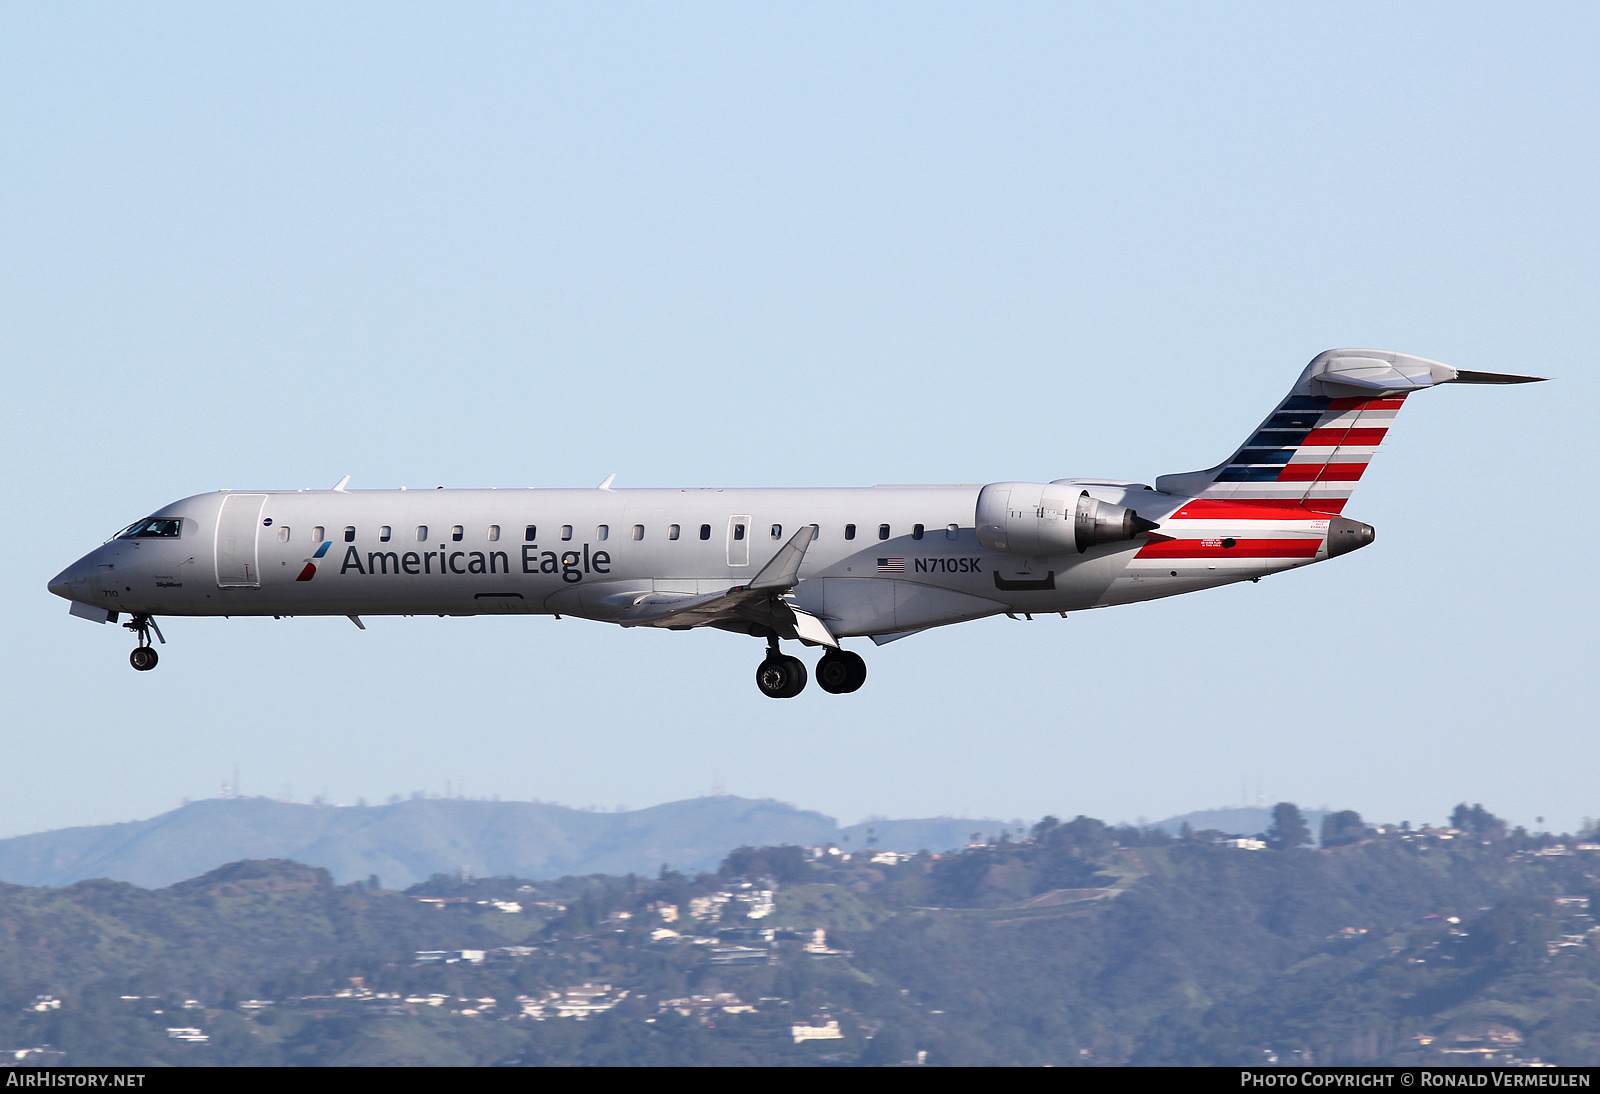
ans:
(1079, 946)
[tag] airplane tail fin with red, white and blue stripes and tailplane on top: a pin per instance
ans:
(1316, 445)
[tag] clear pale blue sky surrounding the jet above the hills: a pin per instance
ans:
(534, 246)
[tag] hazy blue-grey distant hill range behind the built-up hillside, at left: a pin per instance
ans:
(407, 842)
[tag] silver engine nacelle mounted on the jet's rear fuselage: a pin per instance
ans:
(1052, 519)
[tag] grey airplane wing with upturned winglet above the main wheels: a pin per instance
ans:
(761, 602)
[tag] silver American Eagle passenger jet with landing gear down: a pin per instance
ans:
(815, 567)
